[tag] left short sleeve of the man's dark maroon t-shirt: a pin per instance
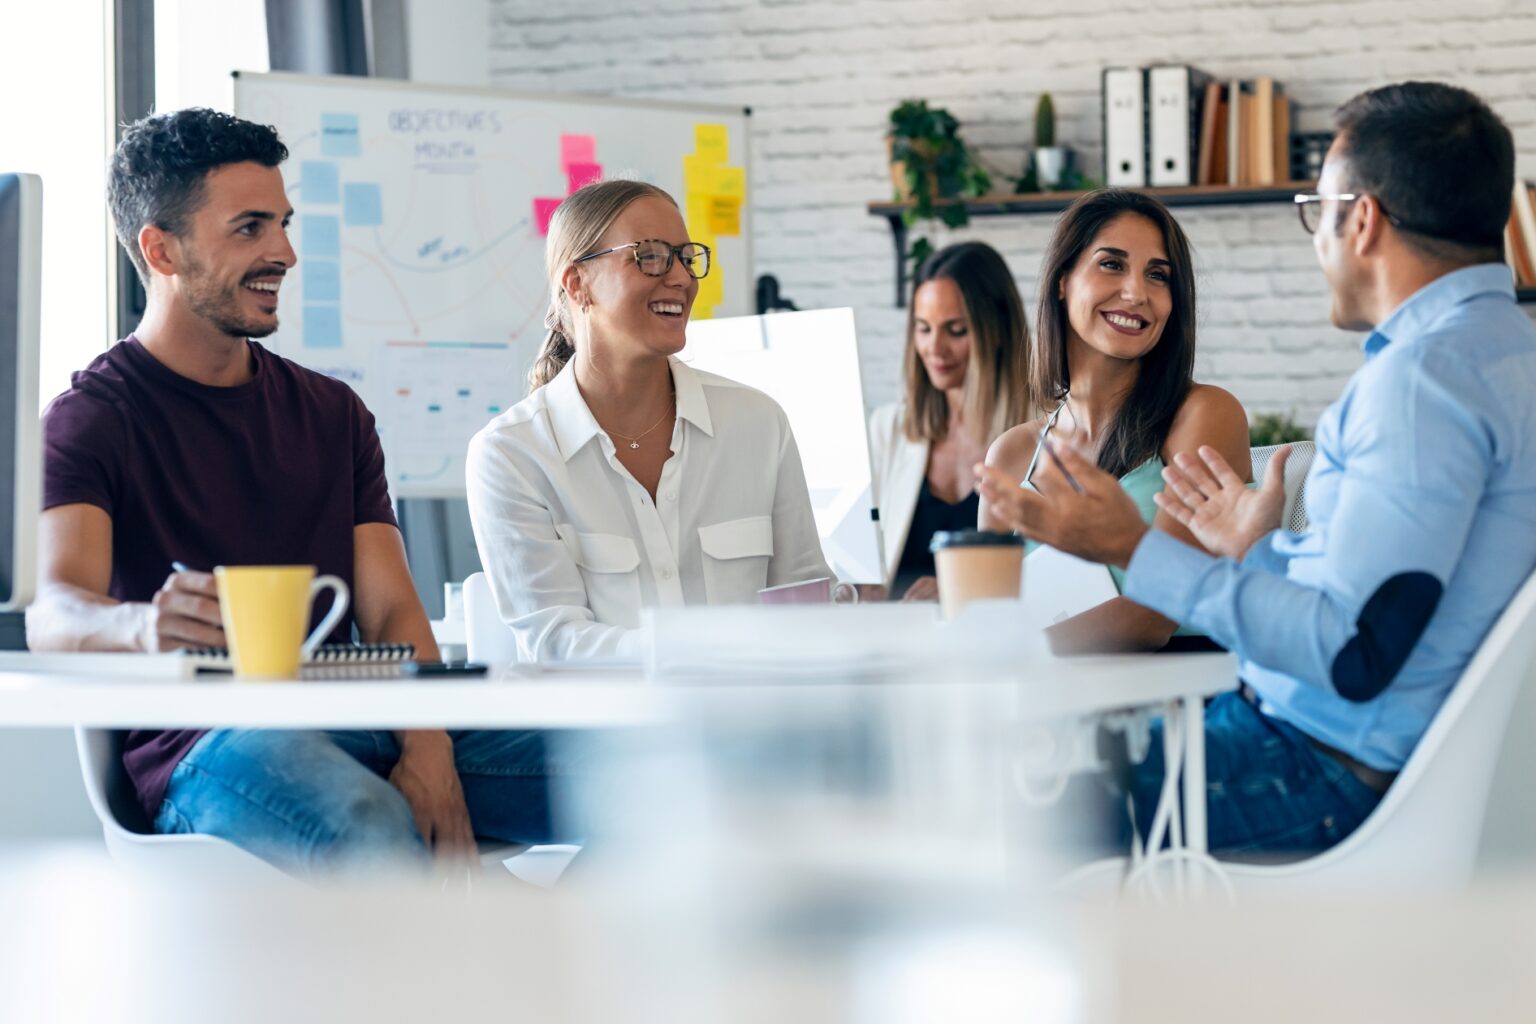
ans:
(84, 452)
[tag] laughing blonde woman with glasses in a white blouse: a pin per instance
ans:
(629, 480)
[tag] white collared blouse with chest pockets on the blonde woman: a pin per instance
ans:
(574, 546)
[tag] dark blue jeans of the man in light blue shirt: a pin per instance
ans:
(1270, 793)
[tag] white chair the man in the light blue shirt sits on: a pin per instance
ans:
(1425, 834)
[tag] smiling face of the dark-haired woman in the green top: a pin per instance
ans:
(1119, 296)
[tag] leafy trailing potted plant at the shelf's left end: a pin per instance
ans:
(930, 164)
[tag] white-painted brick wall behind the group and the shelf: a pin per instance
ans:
(823, 78)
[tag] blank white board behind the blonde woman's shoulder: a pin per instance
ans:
(809, 363)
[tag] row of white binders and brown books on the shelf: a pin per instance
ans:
(1174, 125)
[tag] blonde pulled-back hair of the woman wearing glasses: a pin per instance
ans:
(575, 230)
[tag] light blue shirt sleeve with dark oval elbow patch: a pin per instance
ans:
(1415, 464)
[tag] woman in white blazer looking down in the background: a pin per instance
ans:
(967, 380)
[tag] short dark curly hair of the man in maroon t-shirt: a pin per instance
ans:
(159, 171)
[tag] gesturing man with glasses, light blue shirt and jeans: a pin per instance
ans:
(1423, 495)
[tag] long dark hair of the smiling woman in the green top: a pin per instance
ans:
(1168, 371)
